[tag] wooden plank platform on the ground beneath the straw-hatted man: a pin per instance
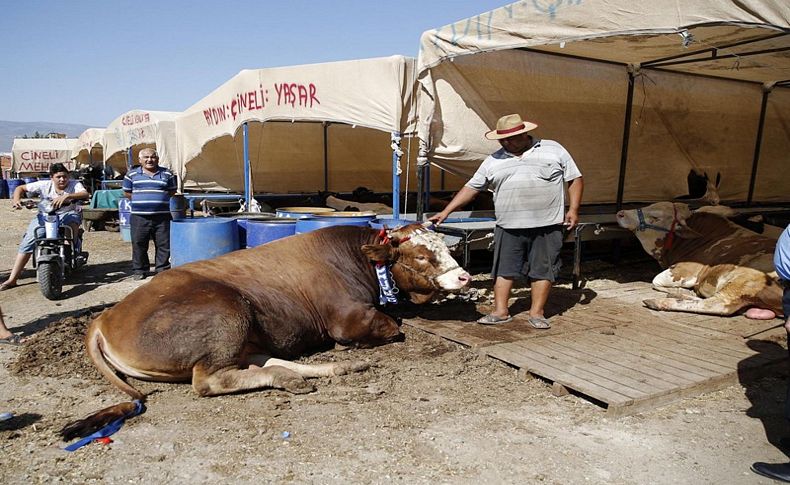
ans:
(623, 356)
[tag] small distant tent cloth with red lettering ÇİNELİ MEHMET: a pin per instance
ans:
(34, 155)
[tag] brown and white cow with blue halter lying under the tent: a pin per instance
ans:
(729, 268)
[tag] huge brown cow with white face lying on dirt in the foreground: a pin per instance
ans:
(225, 324)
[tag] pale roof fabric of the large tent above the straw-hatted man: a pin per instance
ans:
(613, 30)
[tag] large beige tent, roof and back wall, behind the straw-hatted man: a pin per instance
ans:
(640, 93)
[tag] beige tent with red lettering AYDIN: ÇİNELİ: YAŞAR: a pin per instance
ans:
(319, 126)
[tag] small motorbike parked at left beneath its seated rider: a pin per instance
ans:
(57, 252)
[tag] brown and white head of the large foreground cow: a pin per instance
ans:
(421, 262)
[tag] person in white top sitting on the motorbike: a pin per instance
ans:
(63, 192)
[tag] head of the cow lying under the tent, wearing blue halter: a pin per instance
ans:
(657, 225)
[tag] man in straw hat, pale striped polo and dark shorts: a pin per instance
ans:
(527, 176)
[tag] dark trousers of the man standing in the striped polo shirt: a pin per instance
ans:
(143, 229)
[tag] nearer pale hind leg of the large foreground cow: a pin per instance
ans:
(233, 379)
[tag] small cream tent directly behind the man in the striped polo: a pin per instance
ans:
(139, 129)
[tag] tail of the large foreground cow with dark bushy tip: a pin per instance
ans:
(99, 419)
